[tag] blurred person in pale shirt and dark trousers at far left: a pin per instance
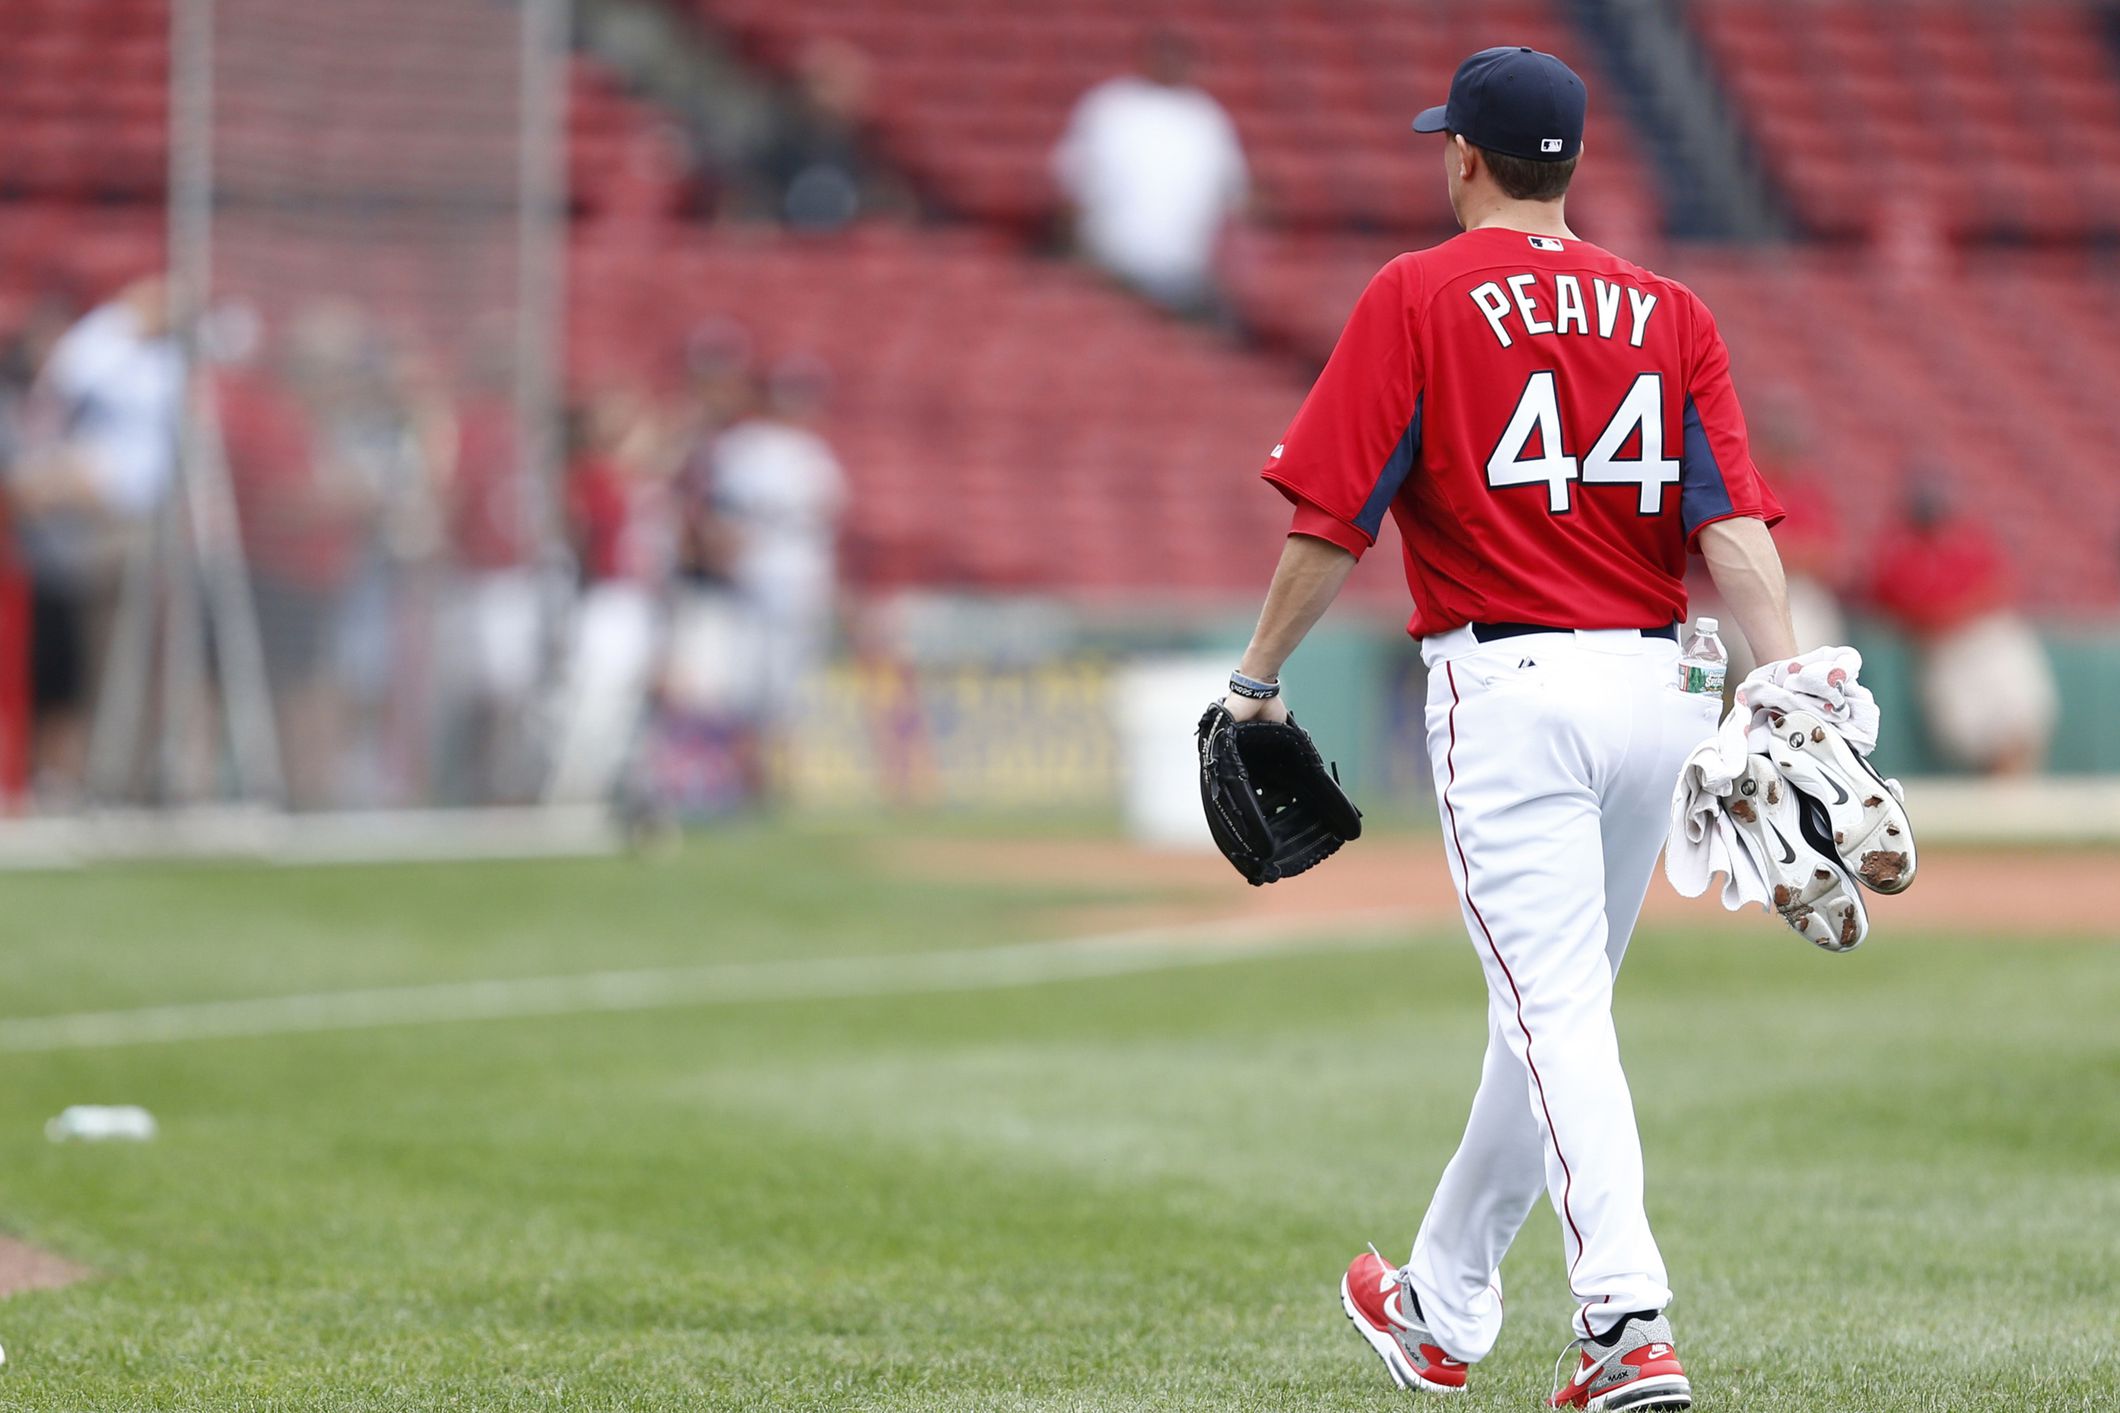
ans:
(94, 454)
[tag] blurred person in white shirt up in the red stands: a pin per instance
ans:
(1154, 171)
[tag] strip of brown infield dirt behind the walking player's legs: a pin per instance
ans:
(1960, 891)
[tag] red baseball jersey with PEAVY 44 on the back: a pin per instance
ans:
(1549, 425)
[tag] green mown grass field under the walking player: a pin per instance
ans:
(1886, 1181)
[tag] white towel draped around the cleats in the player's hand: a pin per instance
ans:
(1701, 842)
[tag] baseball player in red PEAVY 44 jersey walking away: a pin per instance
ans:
(1555, 431)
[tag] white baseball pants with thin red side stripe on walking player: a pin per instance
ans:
(1555, 759)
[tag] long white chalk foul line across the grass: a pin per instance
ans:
(978, 969)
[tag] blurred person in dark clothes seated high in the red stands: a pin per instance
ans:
(817, 168)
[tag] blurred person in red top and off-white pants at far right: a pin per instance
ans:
(1987, 690)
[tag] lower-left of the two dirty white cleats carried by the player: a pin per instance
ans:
(1790, 838)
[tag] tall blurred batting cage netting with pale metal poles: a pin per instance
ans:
(351, 596)
